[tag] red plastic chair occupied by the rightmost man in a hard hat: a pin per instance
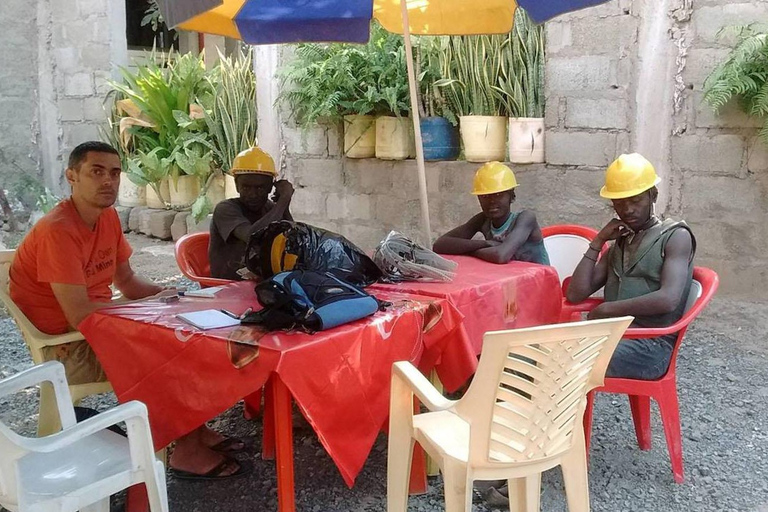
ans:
(663, 390)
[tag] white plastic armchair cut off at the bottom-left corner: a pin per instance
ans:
(81, 466)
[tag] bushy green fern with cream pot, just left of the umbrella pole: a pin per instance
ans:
(332, 83)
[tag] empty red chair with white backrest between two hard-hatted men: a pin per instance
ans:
(566, 244)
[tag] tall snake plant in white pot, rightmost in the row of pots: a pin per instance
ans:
(521, 89)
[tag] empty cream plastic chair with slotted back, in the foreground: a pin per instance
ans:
(521, 415)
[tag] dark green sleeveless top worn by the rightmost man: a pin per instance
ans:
(636, 271)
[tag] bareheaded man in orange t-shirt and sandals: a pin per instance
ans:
(62, 272)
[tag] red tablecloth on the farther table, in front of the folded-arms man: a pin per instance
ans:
(494, 297)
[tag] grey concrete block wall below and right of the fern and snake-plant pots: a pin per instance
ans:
(715, 171)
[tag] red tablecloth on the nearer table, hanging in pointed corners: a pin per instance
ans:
(339, 378)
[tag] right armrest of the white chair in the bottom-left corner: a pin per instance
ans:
(123, 412)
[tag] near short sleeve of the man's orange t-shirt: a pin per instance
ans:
(59, 258)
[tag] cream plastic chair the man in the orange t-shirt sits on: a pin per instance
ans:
(48, 421)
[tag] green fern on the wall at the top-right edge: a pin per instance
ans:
(744, 75)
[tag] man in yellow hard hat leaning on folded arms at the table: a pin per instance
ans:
(506, 235)
